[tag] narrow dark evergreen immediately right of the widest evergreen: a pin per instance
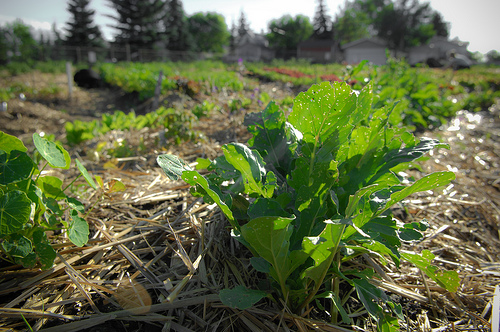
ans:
(176, 27)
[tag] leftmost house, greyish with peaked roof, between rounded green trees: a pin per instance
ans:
(251, 47)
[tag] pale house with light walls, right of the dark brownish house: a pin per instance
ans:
(371, 49)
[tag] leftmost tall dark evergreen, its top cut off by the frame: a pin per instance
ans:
(81, 28)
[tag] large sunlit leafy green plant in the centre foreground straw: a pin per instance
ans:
(310, 194)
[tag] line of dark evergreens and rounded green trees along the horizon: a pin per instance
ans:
(163, 24)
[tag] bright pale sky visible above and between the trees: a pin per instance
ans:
(476, 21)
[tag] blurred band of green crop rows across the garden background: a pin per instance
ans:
(426, 97)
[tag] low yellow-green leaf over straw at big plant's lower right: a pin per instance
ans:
(449, 280)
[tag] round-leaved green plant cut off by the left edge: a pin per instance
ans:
(32, 203)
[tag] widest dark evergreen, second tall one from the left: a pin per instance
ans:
(138, 21)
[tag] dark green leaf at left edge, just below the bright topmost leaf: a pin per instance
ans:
(15, 167)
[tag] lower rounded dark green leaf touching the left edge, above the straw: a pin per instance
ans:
(15, 211)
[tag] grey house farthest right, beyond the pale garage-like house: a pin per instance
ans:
(437, 49)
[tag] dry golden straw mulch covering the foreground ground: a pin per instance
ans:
(158, 256)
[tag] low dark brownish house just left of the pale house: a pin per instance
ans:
(319, 50)
